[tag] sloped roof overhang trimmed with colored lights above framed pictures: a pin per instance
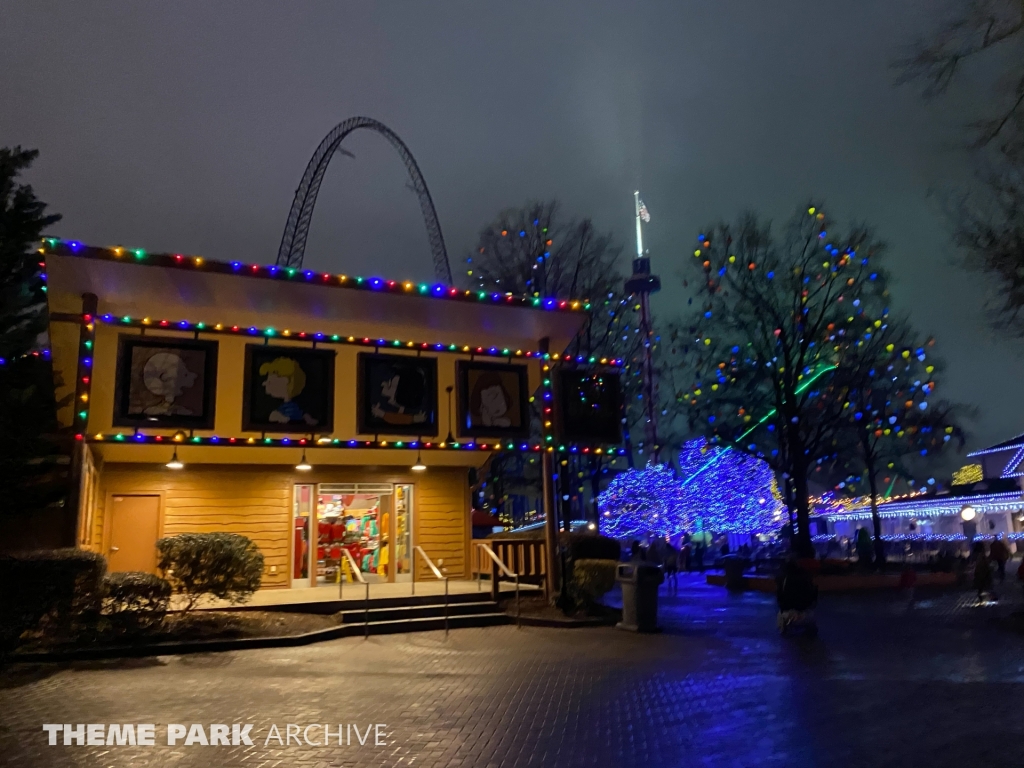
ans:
(162, 291)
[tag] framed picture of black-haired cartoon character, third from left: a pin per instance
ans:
(398, 395)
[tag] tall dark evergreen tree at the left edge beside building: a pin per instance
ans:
(28, 419)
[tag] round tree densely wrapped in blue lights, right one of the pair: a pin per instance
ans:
(728, 492)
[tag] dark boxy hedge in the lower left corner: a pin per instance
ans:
(58, 592)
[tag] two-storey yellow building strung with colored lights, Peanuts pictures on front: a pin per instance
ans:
(311, 412)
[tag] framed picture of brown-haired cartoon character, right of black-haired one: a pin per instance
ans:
(494, 400)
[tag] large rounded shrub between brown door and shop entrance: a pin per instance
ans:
(229, 567)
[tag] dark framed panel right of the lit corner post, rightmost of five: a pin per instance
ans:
(590, 406)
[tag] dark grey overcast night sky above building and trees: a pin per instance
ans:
(187, 126)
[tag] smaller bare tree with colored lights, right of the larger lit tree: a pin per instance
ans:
(893, 421)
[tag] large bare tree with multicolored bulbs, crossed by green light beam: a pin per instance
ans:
(776, 318)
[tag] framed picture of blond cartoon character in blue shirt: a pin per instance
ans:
(288, 390)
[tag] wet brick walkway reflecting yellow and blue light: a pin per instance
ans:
(936, 686)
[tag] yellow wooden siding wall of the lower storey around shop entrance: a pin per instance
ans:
(258, 502)
